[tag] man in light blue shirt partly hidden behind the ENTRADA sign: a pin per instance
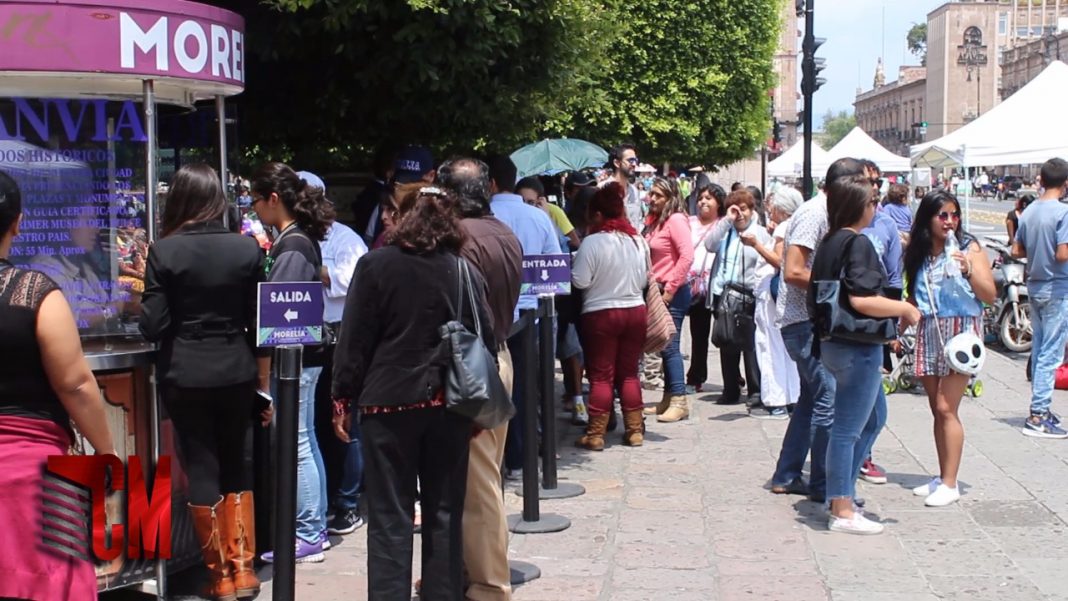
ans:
(538, 235)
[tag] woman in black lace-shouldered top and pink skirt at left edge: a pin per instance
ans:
(45, 384)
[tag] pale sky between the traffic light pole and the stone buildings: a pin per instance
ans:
(858, 33)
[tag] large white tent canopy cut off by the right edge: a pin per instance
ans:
(1028, 128)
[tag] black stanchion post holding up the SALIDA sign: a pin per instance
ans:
(288, 368)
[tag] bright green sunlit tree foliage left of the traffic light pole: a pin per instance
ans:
(689, 82)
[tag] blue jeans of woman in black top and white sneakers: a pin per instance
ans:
(857, 370)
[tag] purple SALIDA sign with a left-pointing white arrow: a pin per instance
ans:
(290, 313)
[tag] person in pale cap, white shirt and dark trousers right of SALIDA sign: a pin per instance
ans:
(343, 463)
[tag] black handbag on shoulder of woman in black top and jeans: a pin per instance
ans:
(838, 321)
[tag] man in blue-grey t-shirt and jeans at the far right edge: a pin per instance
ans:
(1043, 238)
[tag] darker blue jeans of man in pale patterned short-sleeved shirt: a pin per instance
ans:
(813, 416)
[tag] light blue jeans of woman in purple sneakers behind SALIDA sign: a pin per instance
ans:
(311, 472)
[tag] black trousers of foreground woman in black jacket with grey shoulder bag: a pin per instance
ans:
(431, 446)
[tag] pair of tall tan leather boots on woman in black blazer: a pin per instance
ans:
(227, 535)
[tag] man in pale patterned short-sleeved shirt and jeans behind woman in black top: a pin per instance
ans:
(812, 419)
